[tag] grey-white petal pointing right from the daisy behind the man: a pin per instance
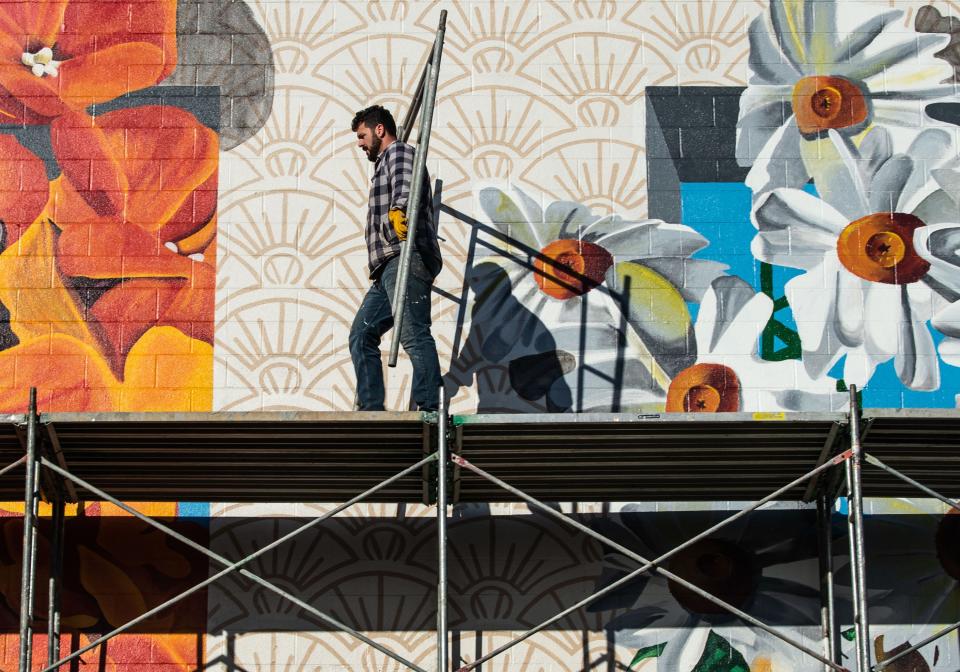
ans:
(649, 238)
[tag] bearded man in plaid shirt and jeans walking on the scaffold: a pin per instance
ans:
(386, 227)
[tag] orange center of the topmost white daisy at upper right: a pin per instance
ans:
(824, 102)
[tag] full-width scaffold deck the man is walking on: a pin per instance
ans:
(325, 457)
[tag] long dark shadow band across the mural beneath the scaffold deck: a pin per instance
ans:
(506, 573)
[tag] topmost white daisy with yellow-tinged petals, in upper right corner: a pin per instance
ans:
(832, 65)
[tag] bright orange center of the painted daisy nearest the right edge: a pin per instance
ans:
(879, 248)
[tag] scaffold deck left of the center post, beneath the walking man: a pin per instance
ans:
(230, 457)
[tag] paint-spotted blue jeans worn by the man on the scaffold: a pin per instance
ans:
(375, 317)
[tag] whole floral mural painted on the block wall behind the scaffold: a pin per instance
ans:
(648, 206)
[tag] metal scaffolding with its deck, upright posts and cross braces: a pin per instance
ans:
(347, 458)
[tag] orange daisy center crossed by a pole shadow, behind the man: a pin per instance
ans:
(568, 268)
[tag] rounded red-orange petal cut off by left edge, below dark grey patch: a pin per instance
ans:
(24, 188)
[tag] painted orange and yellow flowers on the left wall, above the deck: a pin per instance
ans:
(108, 258)
